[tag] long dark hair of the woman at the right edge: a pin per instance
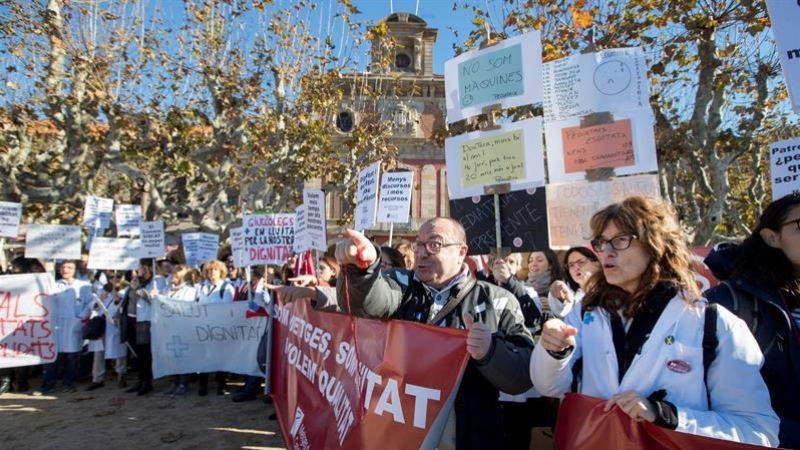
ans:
(765, 265)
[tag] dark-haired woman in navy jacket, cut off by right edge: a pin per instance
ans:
(763, 288)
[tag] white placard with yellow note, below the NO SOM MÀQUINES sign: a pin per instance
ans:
(513, 154)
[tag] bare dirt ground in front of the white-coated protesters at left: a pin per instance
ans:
(108, 418)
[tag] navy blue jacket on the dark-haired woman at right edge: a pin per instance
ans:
(781, 368)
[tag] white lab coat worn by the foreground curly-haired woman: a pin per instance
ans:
(740, 399)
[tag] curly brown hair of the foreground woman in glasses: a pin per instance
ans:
(656, 227)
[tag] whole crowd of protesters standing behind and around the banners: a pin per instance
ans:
(621, 319)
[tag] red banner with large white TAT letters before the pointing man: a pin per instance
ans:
(390, 388)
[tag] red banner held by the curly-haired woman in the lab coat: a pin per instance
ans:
(583, 425)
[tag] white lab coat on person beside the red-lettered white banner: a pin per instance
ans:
(73, 304)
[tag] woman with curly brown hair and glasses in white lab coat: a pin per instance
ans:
(639, 334)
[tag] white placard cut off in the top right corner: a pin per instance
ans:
(785, 15)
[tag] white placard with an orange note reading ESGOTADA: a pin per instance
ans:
(639, 156)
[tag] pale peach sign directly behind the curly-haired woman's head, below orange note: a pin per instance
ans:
(570, 206)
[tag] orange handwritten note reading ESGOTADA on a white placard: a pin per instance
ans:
(599, 146)
